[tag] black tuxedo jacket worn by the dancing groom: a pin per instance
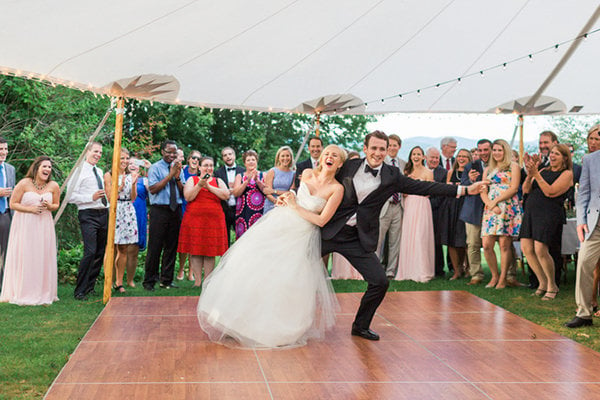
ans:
(367, 212)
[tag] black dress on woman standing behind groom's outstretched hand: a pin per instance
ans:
(452, 229)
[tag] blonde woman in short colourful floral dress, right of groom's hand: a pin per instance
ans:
(502, 213)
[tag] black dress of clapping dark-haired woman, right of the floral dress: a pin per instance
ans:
(544, 216)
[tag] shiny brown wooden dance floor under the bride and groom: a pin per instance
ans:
(435, 345)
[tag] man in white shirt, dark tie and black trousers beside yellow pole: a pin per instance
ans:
(89, 196)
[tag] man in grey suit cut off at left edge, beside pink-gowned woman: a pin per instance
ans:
(7, 182)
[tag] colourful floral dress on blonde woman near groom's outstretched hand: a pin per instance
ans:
(508, 222)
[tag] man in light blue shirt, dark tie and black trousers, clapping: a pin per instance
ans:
(166, 188)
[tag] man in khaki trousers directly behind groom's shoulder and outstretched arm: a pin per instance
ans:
(390, 219)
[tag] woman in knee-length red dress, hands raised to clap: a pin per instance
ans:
(203, 230)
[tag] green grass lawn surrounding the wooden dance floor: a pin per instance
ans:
(36, 342)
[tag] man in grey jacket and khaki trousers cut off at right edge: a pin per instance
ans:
(588, 231)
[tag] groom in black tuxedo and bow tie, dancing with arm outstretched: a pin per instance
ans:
(353, 230)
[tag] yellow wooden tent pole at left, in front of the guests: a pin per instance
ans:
(109, 260)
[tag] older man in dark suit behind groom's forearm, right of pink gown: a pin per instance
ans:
(439, 175)
